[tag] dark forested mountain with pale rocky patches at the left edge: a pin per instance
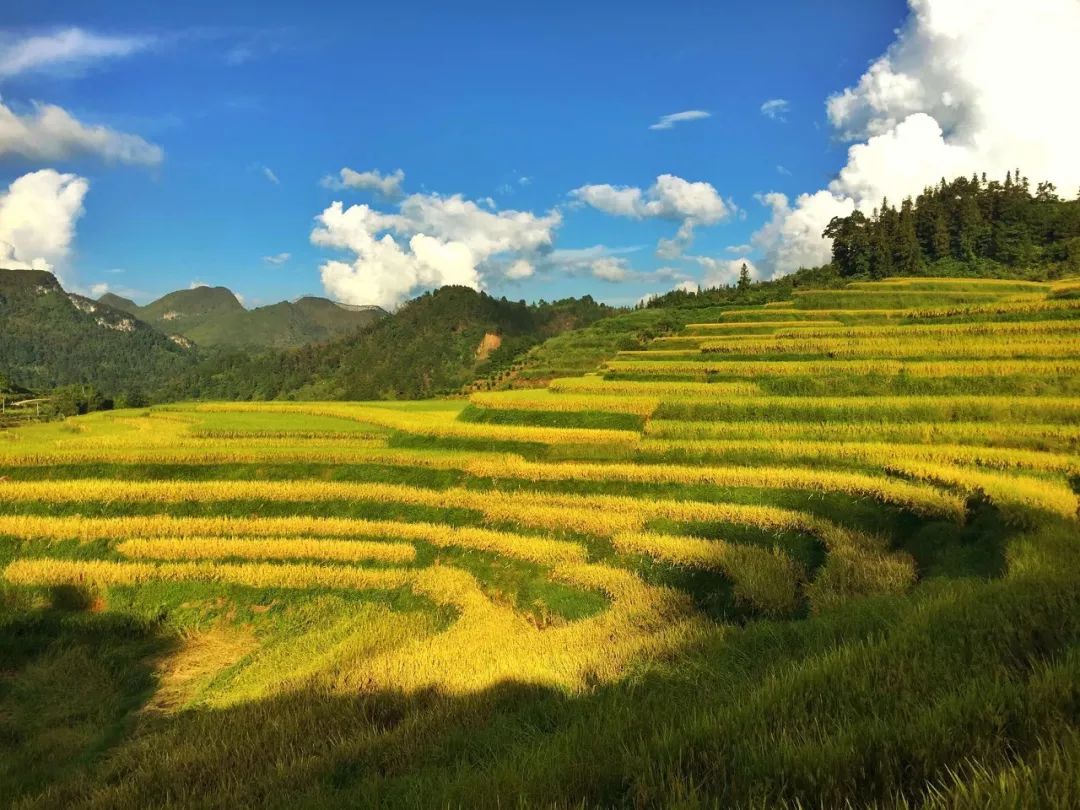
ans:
(50, 337)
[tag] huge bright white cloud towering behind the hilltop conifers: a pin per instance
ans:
(942, 102)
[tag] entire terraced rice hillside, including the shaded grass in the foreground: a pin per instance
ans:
(818, 552)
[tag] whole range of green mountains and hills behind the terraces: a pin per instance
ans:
(204, 343)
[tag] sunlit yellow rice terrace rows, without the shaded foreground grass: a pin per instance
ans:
(798, 503)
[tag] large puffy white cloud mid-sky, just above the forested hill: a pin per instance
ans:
(429, 242)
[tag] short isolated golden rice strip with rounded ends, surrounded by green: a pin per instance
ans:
(218, 548)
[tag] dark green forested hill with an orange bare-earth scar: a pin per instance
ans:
(436, 344)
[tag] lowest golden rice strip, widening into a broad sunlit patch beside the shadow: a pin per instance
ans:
(498, 644)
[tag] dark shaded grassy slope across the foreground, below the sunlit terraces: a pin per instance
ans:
(869, 704)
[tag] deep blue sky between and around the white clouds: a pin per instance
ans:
(481, 100)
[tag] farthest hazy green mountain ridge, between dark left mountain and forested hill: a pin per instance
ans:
(214, 317)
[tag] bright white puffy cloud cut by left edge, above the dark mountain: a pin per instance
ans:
(38, 214)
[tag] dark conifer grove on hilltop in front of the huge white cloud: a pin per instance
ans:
(979, 224)
